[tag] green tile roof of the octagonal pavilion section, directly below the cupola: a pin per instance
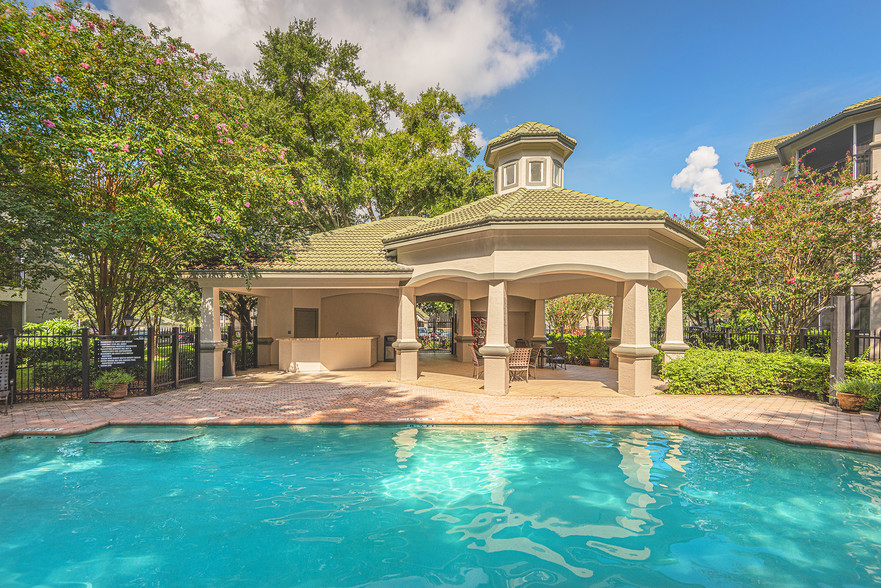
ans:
(530, 206)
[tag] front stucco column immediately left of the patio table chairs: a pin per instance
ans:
(496, 350)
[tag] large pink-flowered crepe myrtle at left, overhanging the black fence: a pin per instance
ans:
(142, 146)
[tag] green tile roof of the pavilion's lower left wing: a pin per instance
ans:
(352, 249)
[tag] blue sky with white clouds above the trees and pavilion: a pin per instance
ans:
(639, 84)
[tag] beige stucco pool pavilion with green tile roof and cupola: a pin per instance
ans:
(351, 291)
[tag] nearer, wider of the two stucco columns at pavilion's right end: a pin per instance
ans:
(635, 351)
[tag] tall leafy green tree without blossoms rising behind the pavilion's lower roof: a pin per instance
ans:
(350, 164)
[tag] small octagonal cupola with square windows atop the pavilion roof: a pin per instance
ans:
(530, 155)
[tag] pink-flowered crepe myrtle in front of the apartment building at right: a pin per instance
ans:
(781, 245)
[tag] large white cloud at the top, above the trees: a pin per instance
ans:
(469, 47)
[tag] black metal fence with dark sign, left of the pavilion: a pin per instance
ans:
(65, 365)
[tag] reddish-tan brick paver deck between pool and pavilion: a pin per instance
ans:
(270, 398)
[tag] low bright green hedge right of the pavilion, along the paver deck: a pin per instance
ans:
(717, 371)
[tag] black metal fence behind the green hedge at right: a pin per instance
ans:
(811, 341)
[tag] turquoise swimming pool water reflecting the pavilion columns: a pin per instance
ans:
(434, 506)
